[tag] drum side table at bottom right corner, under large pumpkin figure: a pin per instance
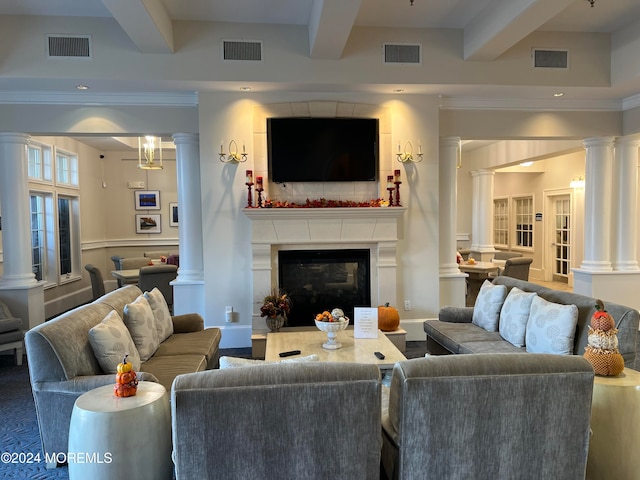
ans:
(615, 423)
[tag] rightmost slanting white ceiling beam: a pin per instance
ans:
(506, 22)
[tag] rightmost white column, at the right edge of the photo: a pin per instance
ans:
(625, 200)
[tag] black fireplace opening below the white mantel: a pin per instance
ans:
(320, 280)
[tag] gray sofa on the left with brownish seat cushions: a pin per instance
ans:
(63, 366)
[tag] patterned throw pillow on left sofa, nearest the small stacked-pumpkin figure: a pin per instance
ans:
(110, 341)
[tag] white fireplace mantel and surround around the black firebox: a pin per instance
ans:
(273, 229)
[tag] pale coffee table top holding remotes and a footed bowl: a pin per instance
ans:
(357, 350)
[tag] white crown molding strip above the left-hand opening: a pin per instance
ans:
(187, 99)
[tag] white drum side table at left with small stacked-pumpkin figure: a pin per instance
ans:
(112, 437)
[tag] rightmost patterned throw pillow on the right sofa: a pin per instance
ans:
(551, 327)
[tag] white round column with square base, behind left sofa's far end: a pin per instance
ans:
(188, 287)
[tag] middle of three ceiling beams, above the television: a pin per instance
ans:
(330, 25)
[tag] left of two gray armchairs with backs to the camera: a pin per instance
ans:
(311, 421)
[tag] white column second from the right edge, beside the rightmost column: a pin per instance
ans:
(598, 205)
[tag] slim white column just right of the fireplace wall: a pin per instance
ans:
(449, 156)
